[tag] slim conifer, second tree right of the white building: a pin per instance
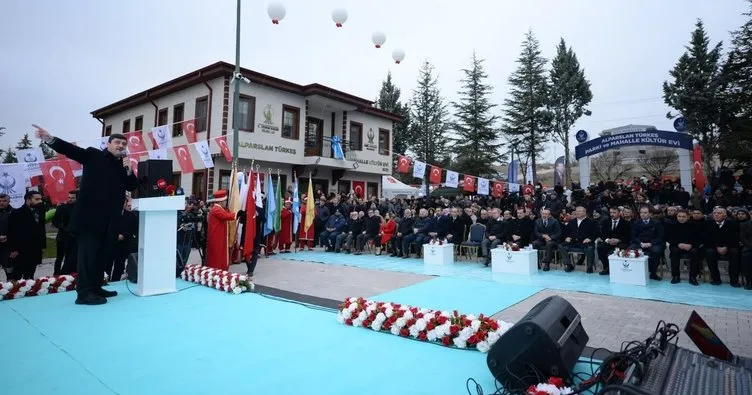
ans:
(428, 119)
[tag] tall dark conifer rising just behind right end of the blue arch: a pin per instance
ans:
(696, 91)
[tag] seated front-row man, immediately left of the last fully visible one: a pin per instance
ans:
(683, 238)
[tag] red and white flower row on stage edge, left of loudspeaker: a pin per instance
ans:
(448, 329)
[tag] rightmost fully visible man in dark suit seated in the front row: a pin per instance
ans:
(721, 242)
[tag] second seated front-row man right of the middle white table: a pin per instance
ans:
(579, 236)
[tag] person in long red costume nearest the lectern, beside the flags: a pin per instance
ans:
(217, 249)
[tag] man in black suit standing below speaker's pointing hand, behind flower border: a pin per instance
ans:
(27, 236)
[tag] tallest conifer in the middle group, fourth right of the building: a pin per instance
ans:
(527, 120)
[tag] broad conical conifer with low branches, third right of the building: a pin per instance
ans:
(476, 144)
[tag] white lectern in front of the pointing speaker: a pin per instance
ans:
(157, 243)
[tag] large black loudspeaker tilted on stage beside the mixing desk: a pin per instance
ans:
(546, 342)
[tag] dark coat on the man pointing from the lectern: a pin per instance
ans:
(101, 192)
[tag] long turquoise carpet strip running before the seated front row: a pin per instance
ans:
(705, 295)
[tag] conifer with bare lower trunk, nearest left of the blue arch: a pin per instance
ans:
(570, 94)
